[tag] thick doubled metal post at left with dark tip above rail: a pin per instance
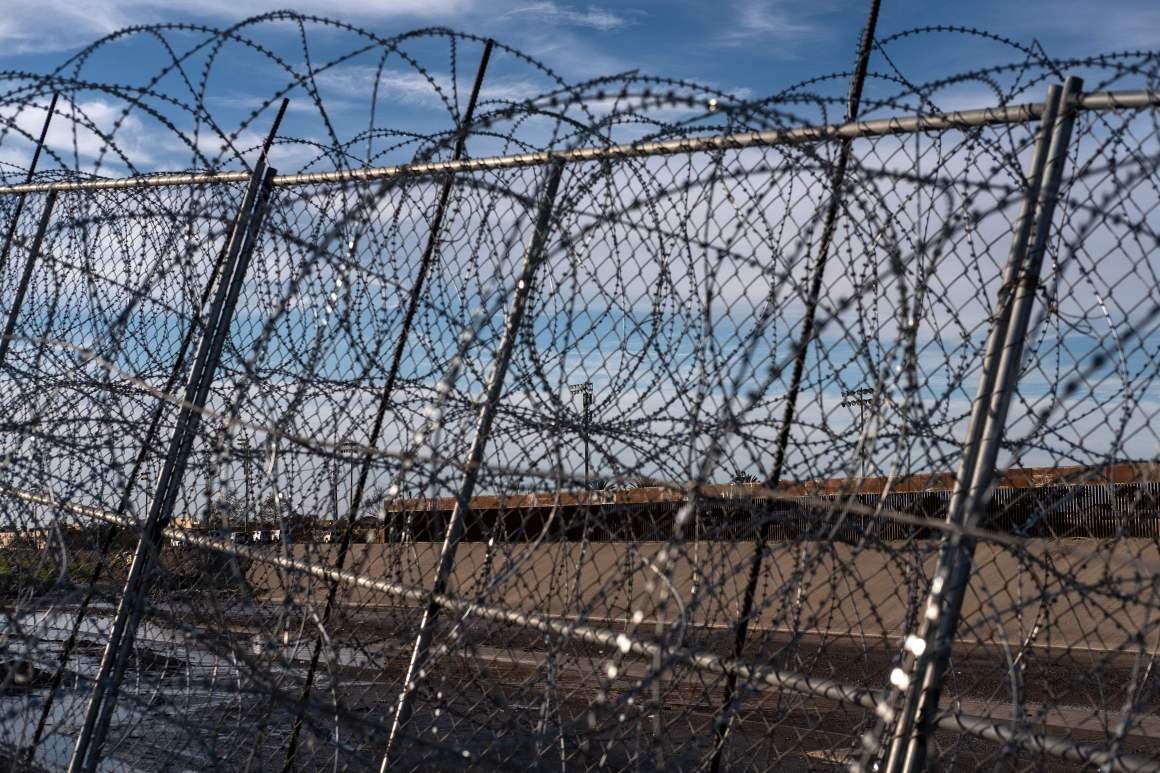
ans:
(104, 698)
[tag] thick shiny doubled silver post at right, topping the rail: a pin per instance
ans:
(998, 381)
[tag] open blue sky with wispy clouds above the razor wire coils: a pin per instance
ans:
(753, 46)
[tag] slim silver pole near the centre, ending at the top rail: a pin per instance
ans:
(532, 262)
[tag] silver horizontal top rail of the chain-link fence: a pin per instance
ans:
(853, 131)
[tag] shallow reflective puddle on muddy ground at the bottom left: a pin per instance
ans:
(171, 678)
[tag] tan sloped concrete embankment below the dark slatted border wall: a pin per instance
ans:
(1074, 595)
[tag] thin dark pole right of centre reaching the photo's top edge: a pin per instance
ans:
(830, 227)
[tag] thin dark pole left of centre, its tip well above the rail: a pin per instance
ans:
(386, 398)
